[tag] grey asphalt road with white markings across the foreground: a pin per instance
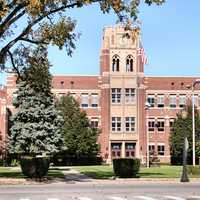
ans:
(121, 191)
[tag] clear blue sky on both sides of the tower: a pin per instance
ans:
(170, 33)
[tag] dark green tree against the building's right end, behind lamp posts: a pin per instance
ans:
(180, 127)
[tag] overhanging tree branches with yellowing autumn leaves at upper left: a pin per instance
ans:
(36, 22)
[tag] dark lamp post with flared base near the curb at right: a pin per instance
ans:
(184, 176)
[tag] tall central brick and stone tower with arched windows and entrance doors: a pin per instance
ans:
(122, 95)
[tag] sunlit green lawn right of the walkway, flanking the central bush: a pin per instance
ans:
(106, 172)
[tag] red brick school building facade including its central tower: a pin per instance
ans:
(116, 100)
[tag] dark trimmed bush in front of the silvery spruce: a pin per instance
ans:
(34, 167)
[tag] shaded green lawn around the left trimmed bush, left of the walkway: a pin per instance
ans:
(10, 172)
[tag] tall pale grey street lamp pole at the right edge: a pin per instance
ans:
(193, 121)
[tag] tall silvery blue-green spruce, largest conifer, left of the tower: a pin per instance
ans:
(36, 125)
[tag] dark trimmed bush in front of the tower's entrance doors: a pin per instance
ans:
(126, 167)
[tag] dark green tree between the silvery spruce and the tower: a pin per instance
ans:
(80, 138)
